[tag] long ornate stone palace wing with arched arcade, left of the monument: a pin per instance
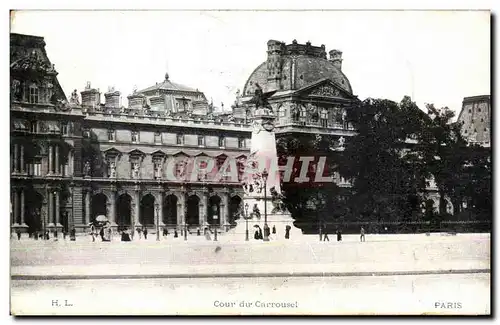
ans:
(73, 160)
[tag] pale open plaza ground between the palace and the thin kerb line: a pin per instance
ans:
(199, 257)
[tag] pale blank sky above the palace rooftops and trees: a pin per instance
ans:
(433, 56)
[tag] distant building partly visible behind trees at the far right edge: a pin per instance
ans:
(476, 118)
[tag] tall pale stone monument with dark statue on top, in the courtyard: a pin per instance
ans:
(261, 181)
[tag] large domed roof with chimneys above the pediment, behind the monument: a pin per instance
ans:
(299, 70)
